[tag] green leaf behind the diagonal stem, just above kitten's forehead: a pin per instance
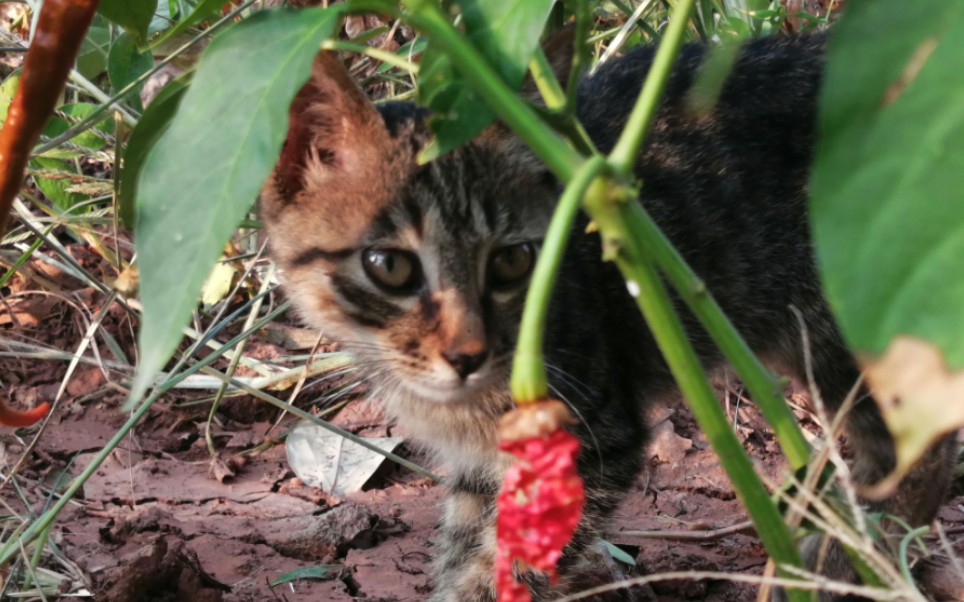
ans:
(506, 32)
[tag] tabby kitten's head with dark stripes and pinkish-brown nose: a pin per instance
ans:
(420, 270)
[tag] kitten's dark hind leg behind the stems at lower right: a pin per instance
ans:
(918, 497)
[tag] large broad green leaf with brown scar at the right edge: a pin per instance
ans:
(887, 216)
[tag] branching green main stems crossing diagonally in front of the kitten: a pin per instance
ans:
(629, 252)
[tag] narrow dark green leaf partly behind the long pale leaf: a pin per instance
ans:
(154, 122)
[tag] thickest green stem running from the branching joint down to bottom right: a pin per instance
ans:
(619, 244)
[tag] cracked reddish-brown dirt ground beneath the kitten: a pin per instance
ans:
(155, 524)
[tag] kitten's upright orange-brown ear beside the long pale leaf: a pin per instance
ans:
(339, 166)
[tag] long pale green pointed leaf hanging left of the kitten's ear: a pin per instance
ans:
(206, 170)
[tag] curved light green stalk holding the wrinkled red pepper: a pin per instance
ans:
(529, 381)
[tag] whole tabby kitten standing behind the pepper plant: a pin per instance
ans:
(421, 271)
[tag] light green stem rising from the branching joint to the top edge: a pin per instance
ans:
(625, 154)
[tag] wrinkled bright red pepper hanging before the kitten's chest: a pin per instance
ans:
(542, 496)
